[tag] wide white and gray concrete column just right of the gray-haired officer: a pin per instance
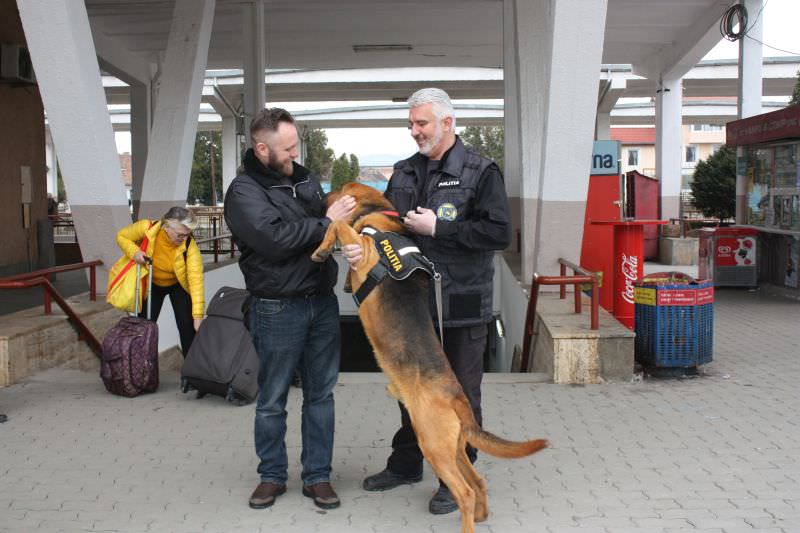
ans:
(560, 45)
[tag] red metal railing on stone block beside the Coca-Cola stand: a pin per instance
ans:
(563, 280)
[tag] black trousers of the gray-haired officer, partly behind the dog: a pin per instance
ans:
(464, 348)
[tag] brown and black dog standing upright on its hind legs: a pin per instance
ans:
(397, 321)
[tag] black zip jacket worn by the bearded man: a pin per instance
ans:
(277, 225)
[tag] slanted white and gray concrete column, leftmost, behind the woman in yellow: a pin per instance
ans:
(60, 42)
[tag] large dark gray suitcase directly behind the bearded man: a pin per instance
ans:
(222, 360)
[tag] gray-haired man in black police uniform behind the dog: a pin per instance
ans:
(455, 205)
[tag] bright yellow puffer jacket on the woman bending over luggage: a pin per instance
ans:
(189, 272)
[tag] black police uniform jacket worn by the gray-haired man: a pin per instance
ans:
(467, 193)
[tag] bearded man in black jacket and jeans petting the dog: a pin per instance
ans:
(276, 212)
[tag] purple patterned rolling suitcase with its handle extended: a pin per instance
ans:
(129, 365)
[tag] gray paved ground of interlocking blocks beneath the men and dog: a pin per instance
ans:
(715, 453)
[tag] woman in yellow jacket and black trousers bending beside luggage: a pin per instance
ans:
(177, 268)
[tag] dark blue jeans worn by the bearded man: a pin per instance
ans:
(302, 334)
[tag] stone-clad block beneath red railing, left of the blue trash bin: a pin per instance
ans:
(570, 352)
